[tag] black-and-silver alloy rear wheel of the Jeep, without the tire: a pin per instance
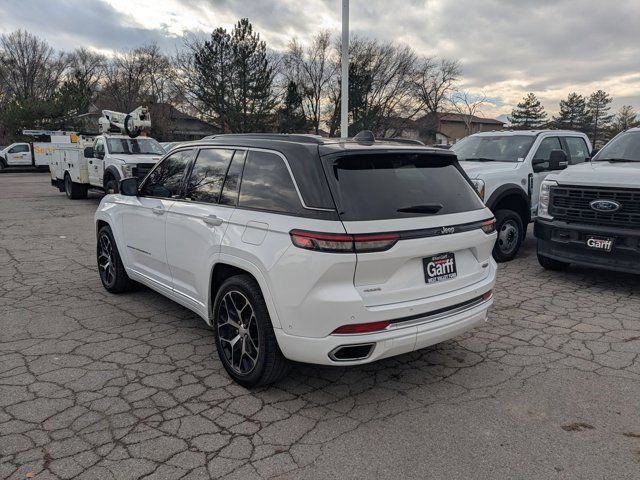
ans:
(238, 332)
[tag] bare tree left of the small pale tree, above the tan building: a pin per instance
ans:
(435, 82)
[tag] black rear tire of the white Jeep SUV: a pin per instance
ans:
(269, 365)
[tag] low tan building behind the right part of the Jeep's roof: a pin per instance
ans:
(445, 128)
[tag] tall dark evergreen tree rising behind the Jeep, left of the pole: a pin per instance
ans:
(234, 79)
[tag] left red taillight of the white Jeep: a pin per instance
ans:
(343, 243)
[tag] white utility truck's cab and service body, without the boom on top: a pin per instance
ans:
(103, 163)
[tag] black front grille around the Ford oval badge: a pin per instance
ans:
(572, 204)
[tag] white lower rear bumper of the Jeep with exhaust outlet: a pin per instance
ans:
(387, 343)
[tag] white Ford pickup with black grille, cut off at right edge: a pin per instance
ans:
(590, 214)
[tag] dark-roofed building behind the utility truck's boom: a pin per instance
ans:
(168, 124)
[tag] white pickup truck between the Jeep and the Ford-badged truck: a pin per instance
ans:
(507, 169)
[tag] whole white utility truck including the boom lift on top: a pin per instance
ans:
(100, 162)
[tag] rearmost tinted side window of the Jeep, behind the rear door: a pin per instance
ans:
(267, 184)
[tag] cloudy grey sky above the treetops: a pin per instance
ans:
(506, 47)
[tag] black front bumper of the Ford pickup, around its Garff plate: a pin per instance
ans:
(566, 242)
